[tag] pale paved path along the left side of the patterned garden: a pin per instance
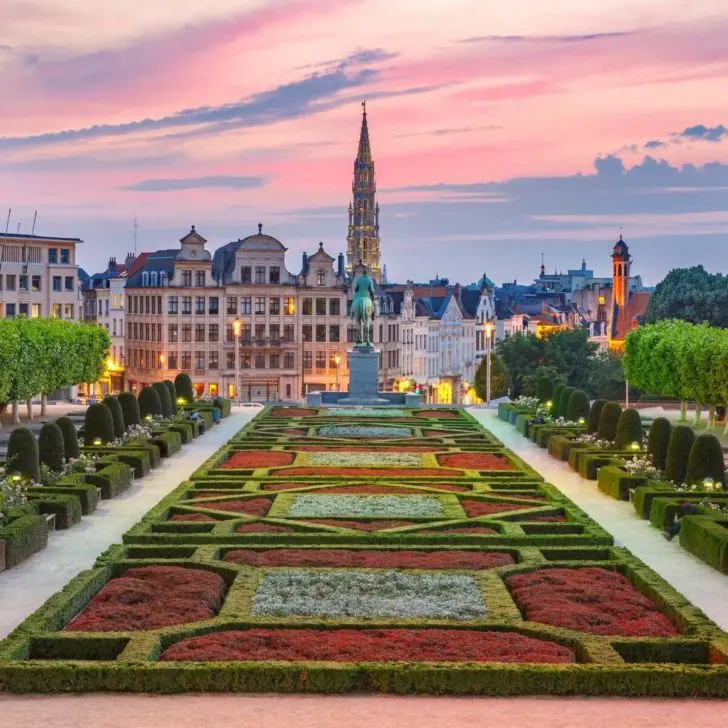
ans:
(25, 587)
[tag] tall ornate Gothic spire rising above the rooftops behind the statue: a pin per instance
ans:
(362, 239)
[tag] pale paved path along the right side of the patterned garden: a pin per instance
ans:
(705, 587)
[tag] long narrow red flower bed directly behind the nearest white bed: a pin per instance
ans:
(371, 559)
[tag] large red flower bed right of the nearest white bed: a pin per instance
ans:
(588, 599)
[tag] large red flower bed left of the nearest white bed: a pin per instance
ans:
(151, 597)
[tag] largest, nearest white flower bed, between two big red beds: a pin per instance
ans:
(368, 595)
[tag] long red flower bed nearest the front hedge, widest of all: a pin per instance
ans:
(368, 645)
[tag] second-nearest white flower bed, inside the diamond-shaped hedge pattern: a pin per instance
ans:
(376, 506)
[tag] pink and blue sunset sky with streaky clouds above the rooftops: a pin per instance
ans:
(500, 130)
